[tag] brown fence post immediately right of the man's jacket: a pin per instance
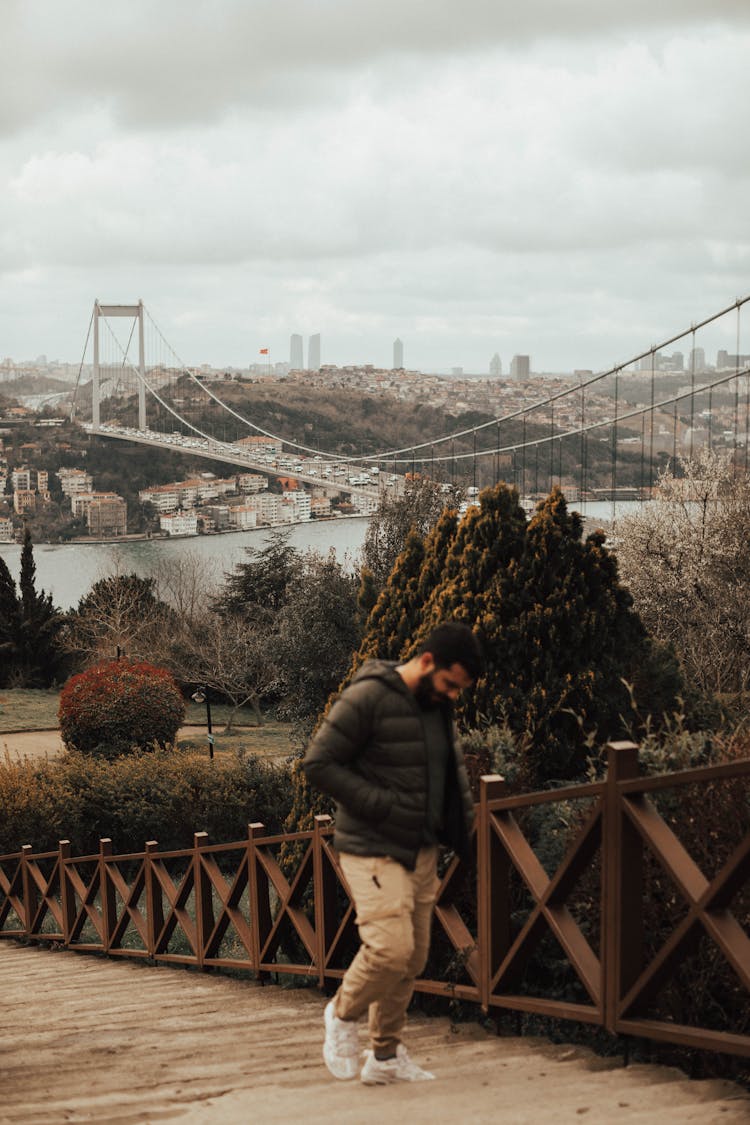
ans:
(492, 893)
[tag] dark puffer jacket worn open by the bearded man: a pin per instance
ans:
(371, 755)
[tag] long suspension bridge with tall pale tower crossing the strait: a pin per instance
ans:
(599, 436)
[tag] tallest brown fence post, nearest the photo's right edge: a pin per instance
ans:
(622, 859)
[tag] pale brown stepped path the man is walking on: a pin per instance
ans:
(85, 1039)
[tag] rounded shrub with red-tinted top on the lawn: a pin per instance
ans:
(120, 705)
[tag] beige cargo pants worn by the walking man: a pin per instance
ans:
(394, 915)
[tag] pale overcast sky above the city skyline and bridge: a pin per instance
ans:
(568, 179)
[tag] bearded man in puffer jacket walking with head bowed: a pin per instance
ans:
(386, 753)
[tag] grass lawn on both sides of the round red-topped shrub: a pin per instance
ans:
(25, 709)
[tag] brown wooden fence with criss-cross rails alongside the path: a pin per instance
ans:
(618, 896)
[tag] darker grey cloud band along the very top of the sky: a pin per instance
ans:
(175, 65)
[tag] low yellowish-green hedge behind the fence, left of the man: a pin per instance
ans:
(165, 796)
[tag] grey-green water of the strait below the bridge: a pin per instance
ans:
(68, 571)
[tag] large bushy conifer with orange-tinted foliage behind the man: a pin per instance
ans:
(564, 647)
